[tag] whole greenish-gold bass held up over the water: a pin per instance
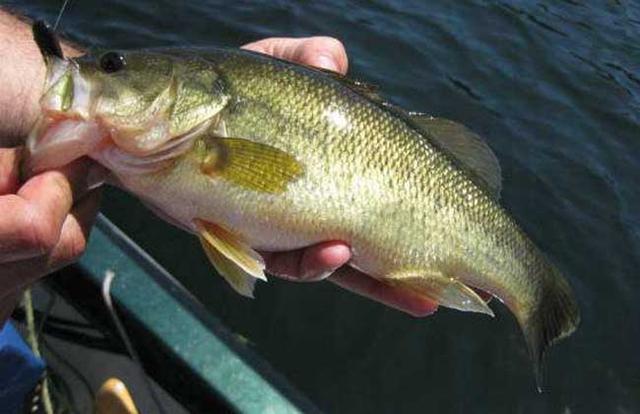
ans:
(252, 153)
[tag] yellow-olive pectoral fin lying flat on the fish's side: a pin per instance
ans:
(250, 164)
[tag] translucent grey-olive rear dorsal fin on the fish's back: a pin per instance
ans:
(466, 146)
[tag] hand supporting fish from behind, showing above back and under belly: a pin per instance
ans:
(320, 261)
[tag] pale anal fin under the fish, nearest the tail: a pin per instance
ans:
(444, 290)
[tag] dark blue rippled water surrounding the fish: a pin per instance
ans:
(554, 86)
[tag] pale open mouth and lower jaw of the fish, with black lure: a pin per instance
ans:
(69, 128)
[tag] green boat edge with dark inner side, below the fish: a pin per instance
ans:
(181, 345)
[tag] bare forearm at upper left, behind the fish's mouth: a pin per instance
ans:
(22, 73)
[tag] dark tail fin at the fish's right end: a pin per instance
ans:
(556, 317)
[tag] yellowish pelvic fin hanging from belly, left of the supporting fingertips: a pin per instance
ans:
(238, 263)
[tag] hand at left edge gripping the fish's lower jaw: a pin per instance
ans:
(44, 223)
